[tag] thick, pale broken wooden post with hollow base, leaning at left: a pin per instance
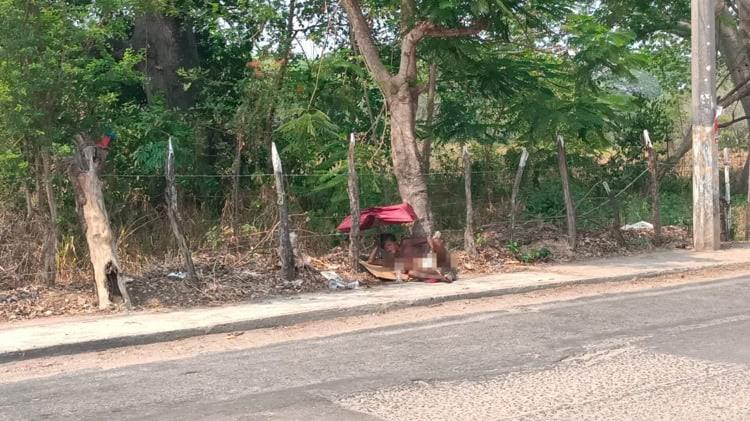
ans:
(83, 169)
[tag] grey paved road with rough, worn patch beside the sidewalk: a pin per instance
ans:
(680, 353)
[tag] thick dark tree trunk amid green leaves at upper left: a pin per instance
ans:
(169, 45)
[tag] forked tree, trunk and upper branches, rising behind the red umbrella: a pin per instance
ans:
(419, 21)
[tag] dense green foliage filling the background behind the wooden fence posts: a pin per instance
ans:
(595, 74)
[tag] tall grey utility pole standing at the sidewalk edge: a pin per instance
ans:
(706, 216)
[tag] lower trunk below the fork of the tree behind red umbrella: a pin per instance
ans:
(412, 183)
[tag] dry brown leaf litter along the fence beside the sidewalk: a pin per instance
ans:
(227, 277)
